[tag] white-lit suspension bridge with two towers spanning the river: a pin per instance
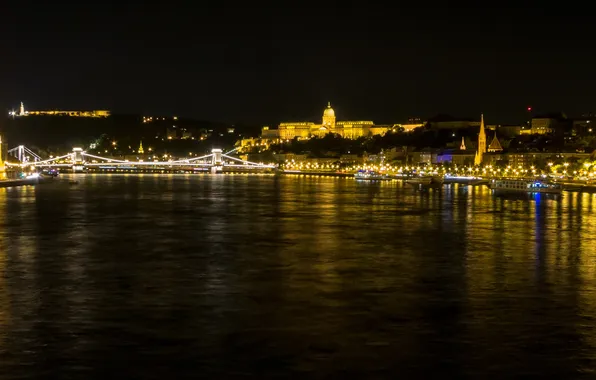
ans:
(79, 161)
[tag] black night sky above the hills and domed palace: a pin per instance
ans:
(266, 63)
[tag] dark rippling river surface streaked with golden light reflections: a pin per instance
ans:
(160, 277)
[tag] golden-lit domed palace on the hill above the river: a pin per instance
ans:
(329, 124)
